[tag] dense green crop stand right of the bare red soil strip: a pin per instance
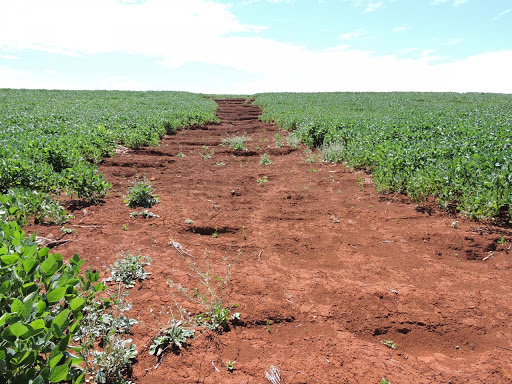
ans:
(454, 146)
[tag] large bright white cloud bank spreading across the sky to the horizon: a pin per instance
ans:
(182, 32)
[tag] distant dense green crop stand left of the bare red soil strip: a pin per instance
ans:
(51, 141)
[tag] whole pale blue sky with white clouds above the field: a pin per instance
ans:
(225, 46)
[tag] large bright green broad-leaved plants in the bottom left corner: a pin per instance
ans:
(41, 309)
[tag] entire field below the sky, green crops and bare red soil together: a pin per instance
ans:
(154, 237)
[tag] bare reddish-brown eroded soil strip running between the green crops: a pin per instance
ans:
(327, 268)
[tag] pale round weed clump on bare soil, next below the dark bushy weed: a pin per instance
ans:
(129, 268)
